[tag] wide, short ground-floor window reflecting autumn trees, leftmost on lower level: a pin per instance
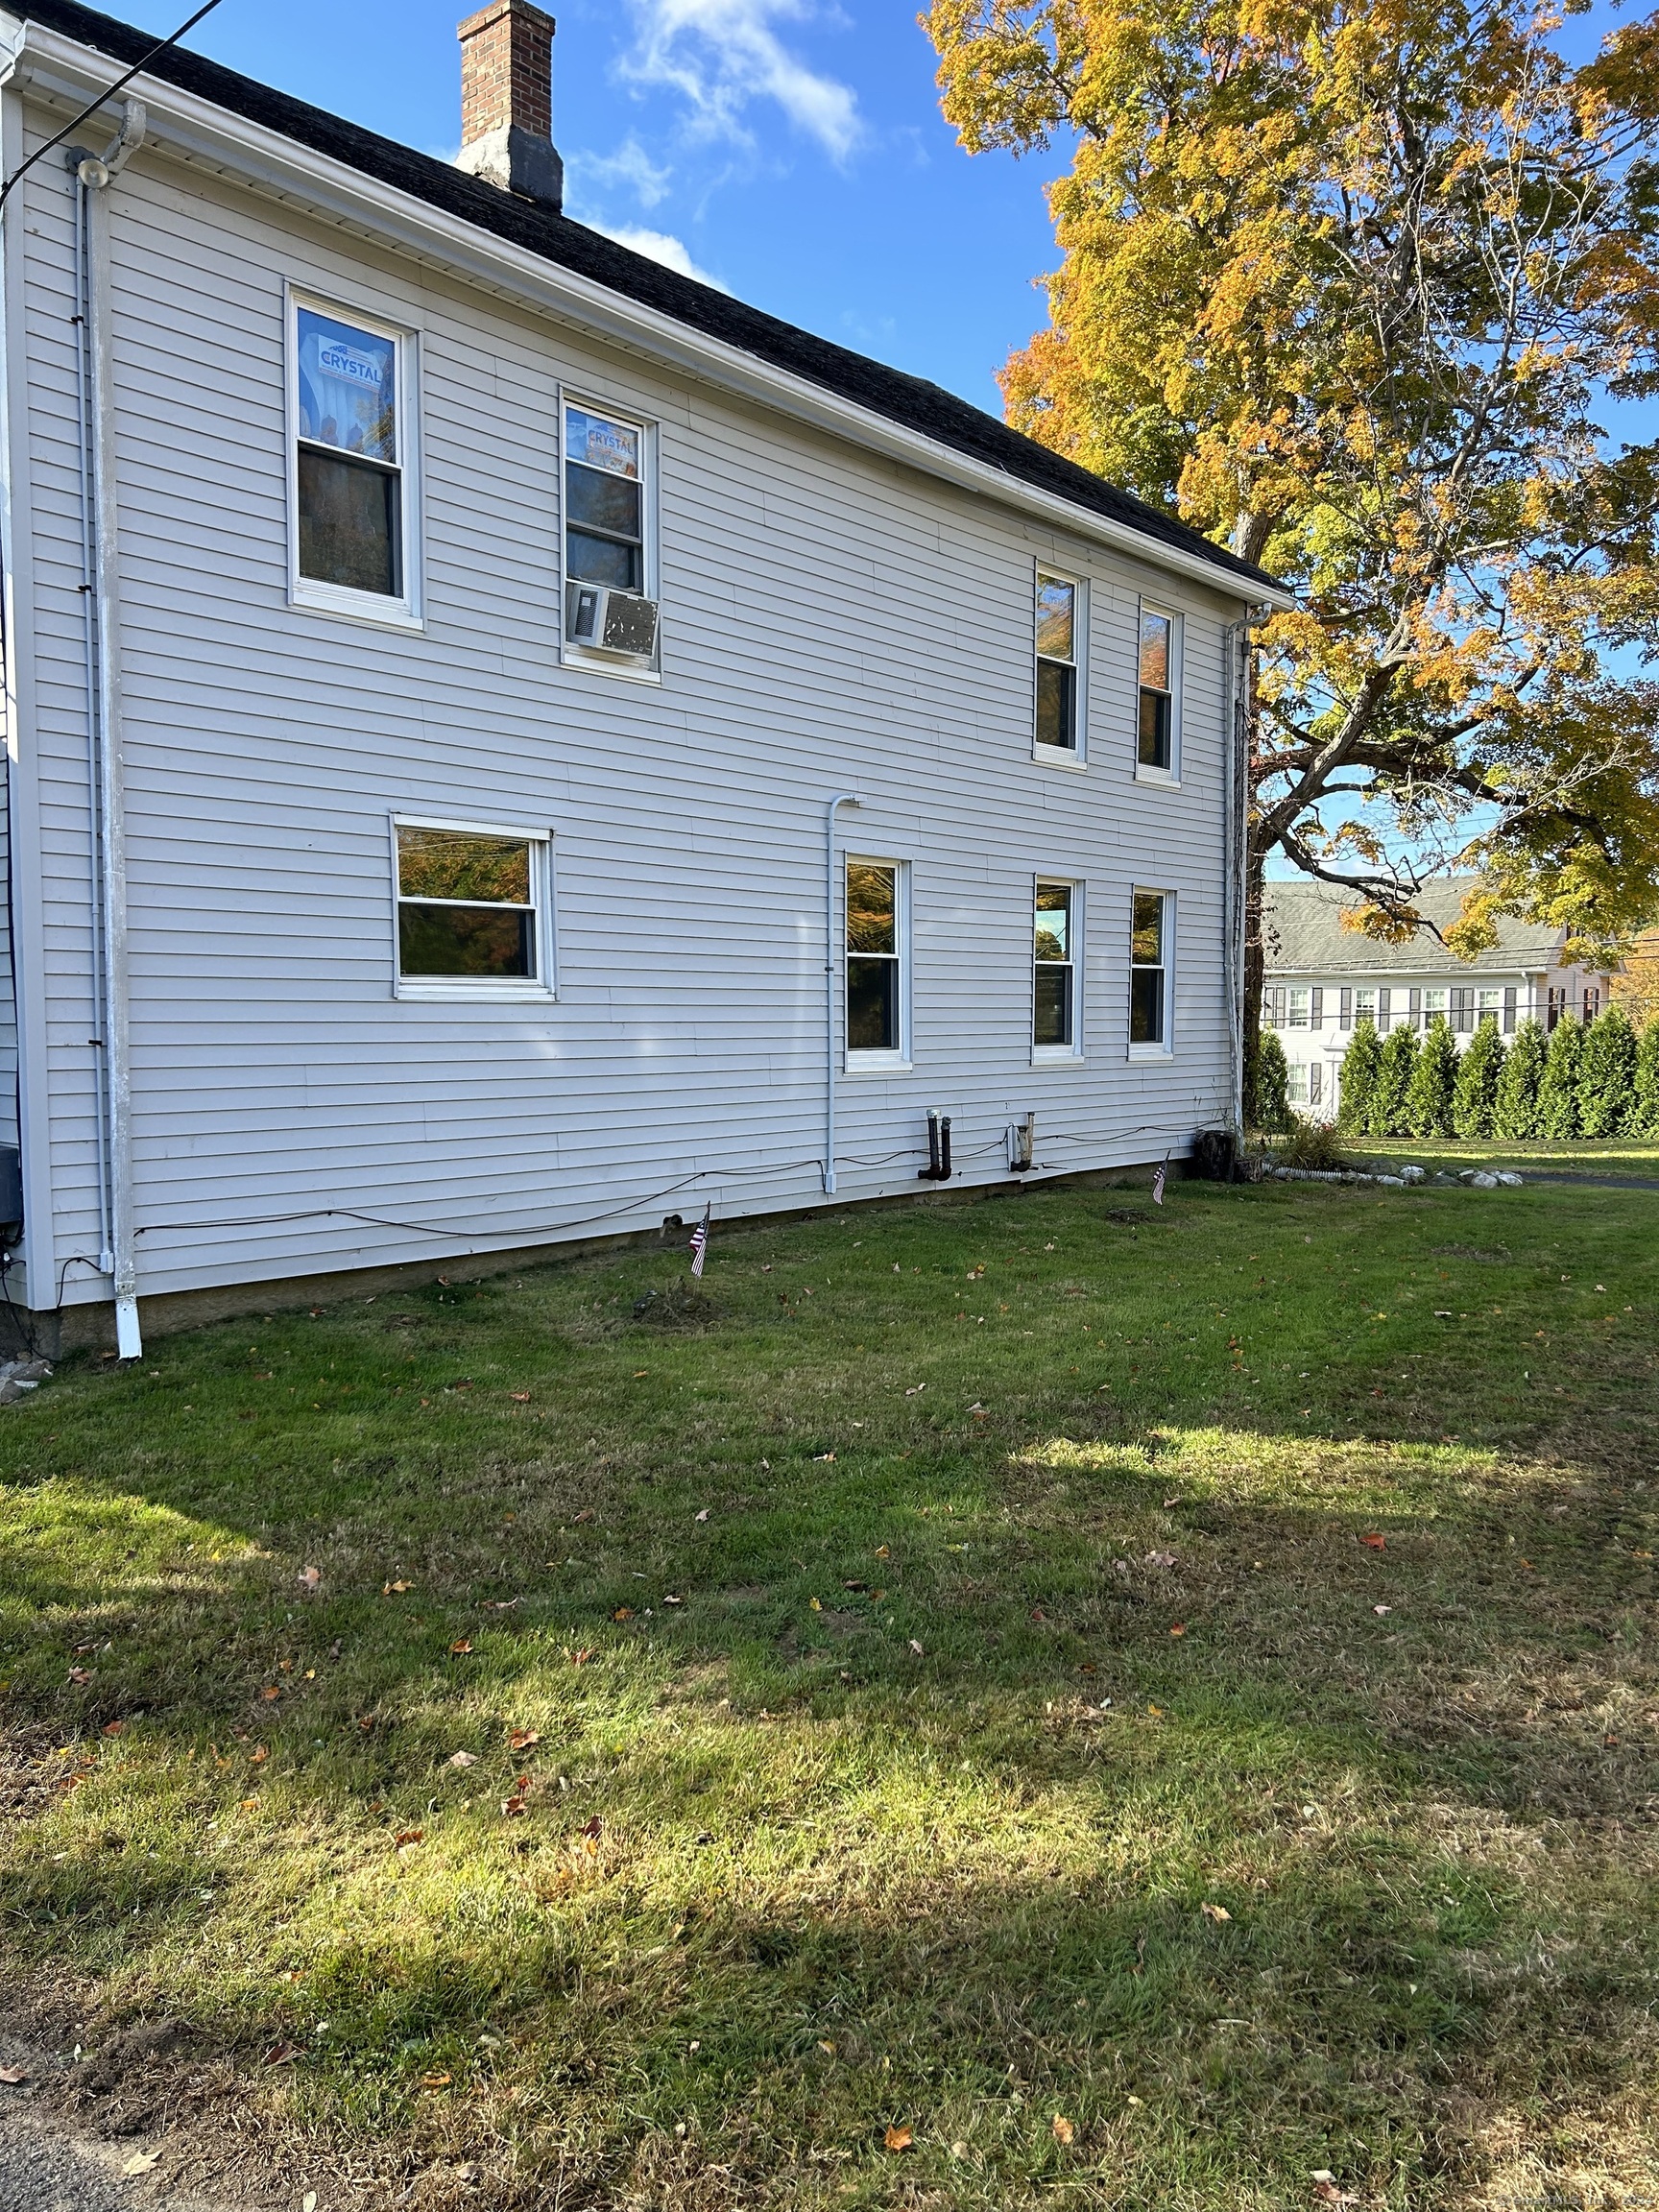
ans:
(470, 910)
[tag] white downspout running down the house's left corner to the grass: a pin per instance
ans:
(101, 589)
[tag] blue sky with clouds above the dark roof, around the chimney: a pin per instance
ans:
(791, 152)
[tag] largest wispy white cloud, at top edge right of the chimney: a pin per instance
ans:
(724, 54)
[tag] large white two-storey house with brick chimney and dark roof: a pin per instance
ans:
(510, 744)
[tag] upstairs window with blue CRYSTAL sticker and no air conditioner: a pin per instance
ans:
(351, 499)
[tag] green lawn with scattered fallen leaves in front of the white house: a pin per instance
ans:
(1145, 1704)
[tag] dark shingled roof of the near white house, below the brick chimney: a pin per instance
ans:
(888, 393)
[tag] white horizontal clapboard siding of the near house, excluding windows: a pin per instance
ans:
(831, 623)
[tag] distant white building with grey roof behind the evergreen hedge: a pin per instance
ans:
(1324, 979)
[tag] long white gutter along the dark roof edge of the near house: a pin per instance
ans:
(59, 70)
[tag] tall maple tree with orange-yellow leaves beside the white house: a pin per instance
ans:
(1350, 289)
